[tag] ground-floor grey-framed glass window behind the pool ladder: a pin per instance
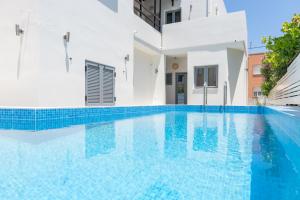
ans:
(206, 74)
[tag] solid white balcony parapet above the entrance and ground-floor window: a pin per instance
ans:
(229, 30)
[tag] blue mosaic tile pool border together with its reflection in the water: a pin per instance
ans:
(41, 119)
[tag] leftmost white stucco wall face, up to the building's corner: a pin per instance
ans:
(18, 66)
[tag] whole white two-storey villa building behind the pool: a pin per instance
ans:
(74, 53)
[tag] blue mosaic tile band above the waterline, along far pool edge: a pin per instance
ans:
(58, 113)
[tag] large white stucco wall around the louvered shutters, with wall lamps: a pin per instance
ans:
(101, 31)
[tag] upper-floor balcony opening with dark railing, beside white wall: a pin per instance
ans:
(149, 11)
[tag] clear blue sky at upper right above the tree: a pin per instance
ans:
(264, 17)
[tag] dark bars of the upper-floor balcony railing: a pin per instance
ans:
(152, 18)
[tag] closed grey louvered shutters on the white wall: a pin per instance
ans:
(100, 84)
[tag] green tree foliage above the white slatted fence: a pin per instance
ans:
(280, 52)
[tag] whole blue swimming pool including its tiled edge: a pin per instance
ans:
(183, 152)
